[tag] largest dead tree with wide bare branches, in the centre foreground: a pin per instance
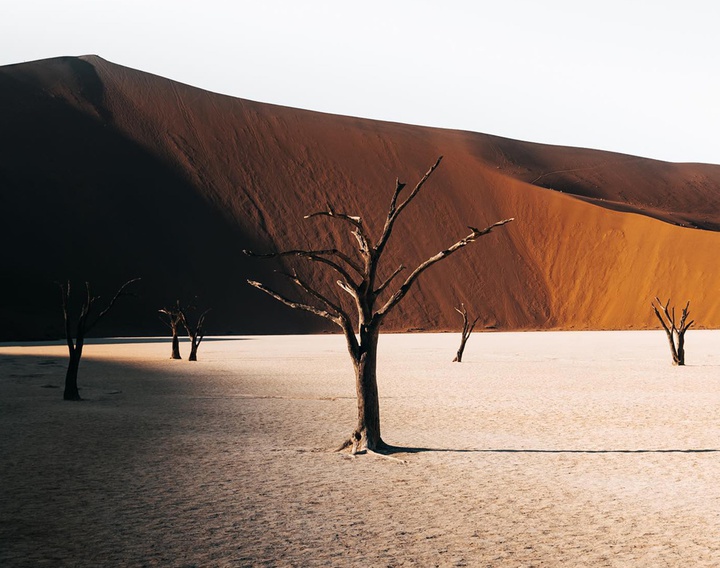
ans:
(359, 277)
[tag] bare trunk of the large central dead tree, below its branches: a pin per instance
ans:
(367, 433)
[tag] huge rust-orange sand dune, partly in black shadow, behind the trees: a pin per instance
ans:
(107, 173)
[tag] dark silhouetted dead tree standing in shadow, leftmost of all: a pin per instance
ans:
(84, 324)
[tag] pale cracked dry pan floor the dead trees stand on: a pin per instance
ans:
(540, 449)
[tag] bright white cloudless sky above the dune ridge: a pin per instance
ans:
(633, 76)
